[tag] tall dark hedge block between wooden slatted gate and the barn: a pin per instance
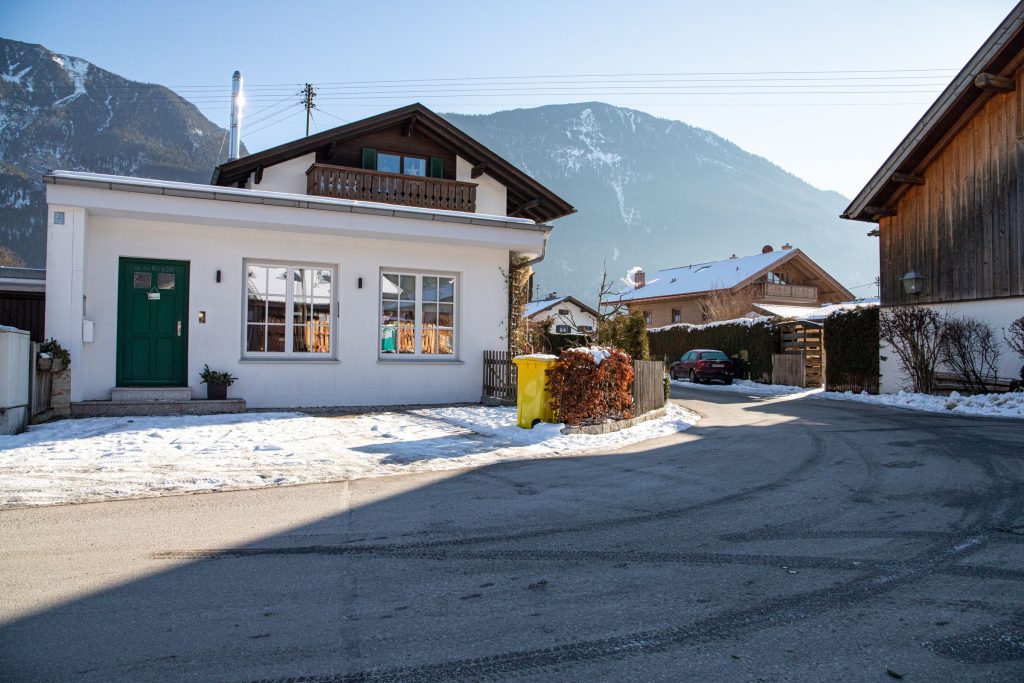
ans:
(852, 351)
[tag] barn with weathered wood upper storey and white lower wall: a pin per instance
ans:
(950, 200)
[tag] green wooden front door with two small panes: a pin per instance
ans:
(153, 323)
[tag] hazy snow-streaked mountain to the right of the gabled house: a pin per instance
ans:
(659, 194)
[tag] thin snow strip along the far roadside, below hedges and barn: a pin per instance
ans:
(995, 405)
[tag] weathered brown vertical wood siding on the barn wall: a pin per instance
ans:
(963, 229)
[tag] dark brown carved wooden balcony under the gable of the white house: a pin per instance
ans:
(357, 184)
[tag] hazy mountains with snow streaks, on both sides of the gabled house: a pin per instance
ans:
(650, 192)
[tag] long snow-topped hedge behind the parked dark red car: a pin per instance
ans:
(750, 344)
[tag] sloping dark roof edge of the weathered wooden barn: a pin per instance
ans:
(1001, 56)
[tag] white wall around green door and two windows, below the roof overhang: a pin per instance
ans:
(358, 377)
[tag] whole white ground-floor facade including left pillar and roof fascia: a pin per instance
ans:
(104, 226)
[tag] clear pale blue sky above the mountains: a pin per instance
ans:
(834, 134)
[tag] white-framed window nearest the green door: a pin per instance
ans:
(289, 311)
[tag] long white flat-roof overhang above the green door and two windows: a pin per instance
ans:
(230, 207)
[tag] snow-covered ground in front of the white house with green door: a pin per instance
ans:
(74, 461)
